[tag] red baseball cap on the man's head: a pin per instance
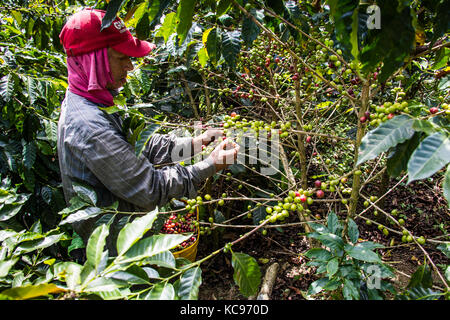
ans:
(81, 34)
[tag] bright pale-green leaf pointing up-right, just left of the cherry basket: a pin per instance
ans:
(134, 231)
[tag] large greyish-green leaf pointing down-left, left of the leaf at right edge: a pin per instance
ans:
(384, 137)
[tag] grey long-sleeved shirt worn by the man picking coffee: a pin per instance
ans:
(93, 149)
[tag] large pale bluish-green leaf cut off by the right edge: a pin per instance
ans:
(432, 154)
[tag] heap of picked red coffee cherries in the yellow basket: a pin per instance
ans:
(182, 223)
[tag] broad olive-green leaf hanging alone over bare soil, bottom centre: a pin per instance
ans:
(247, 274)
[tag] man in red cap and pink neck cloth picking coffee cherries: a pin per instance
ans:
(92, 148)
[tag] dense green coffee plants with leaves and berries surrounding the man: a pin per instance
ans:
(355, 93)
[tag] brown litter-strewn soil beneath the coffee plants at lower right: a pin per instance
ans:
(421, 204)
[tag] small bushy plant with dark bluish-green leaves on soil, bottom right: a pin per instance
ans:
(352, 270)
